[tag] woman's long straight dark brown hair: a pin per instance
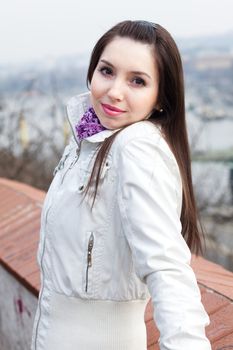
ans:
(171, 120)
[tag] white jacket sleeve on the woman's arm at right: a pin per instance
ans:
(149, 199)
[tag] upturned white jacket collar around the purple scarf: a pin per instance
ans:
(75, 108)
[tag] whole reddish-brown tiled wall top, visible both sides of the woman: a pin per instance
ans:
(20, 208)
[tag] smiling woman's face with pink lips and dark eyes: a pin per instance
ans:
(124, 86)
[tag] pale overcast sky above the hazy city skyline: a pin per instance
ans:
(36, 29)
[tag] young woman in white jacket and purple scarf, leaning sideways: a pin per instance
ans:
(119, 220)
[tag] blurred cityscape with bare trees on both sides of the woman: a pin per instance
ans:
(34, 128)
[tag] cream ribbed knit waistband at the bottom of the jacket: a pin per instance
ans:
(79, 324)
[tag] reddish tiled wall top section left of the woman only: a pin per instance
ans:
(20, 208)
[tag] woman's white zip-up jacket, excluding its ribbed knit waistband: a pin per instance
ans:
(132, 235)
